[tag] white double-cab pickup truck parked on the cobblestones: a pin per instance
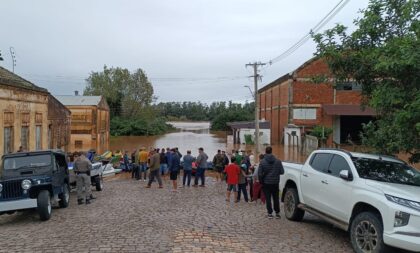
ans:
(375, 198)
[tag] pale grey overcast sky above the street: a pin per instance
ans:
(192, 50)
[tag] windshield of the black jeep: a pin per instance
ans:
(11, 163)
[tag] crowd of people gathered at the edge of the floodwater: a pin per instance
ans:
(244, 175)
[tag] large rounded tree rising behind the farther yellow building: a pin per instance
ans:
(128, 94)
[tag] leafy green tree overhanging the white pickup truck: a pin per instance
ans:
(383, 55)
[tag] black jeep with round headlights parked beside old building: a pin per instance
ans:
(34, 180)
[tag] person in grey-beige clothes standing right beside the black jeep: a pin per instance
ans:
(82, 167)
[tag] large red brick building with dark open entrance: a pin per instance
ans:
(302, 99)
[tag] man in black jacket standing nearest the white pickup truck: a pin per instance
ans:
(269, 173)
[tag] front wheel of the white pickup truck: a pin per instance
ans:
(366, 233)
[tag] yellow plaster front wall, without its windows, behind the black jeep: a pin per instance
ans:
(19, 101)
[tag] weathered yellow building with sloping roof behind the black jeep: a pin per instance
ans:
(25, 120)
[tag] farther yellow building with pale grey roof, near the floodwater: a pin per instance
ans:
(89, 122)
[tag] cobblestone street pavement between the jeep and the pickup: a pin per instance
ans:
(126, 217)
